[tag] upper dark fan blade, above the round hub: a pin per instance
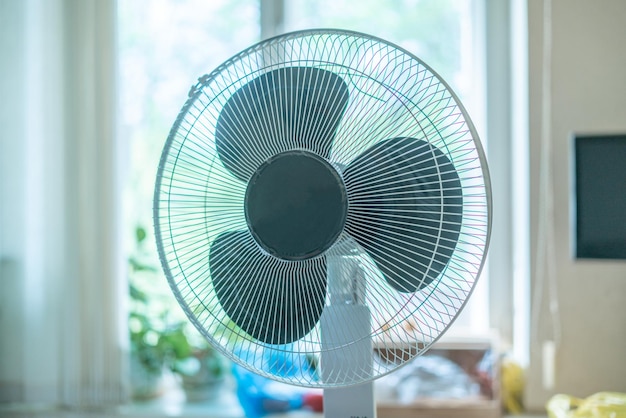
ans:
(287, 108)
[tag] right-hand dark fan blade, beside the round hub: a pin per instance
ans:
(405, 209)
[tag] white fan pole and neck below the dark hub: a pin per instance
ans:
(346, 342)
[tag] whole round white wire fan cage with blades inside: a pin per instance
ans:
(322, 171)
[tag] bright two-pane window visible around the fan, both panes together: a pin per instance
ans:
(165, 47)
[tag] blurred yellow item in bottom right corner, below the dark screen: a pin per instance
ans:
(600, 405)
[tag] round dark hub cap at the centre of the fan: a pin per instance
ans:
(296, 205)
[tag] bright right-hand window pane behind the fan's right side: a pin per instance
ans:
(448, 36)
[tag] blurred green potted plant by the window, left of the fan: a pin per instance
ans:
(160, 342)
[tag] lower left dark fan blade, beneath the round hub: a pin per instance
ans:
(273, 301)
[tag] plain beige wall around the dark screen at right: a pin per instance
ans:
(588, 94)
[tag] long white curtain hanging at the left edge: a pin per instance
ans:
(62, 317)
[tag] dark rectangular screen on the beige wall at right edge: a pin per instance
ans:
(600, 196)
